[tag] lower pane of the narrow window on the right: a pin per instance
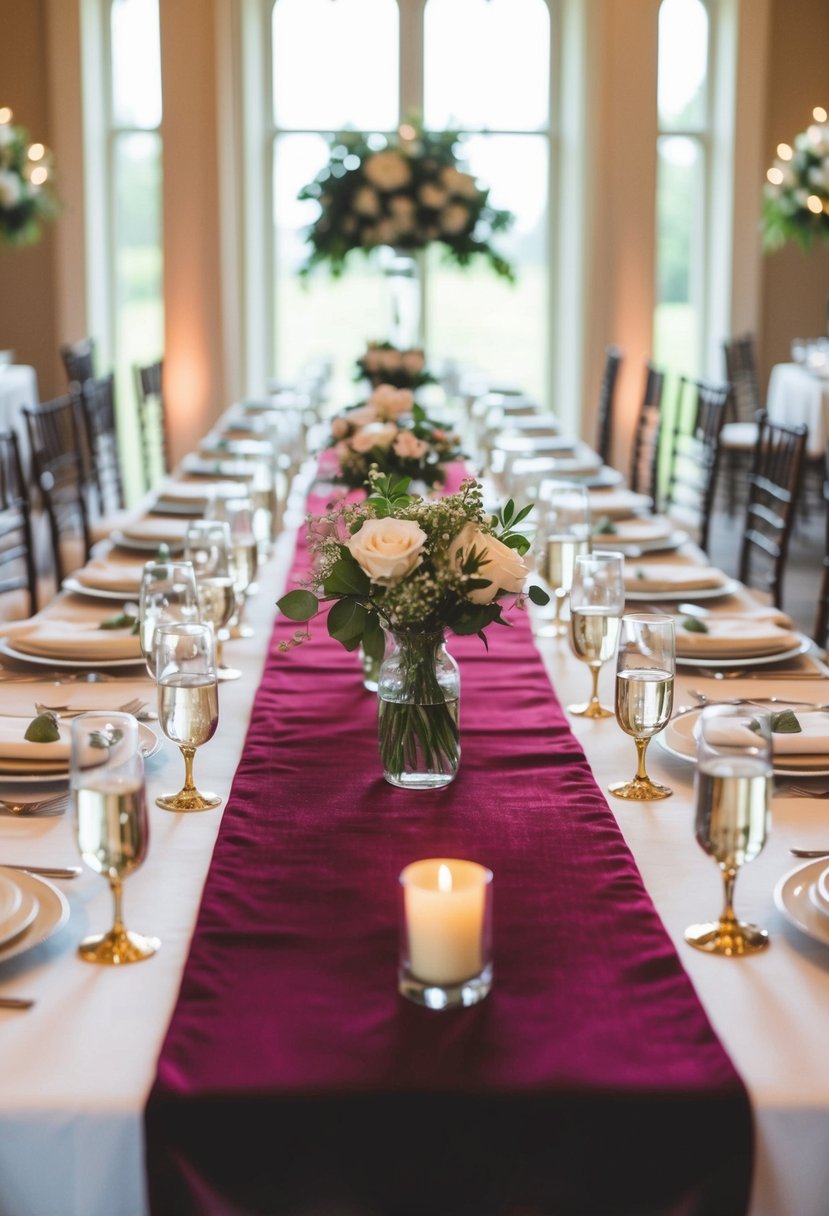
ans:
(679, 254)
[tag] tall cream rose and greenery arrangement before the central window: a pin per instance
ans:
(408, 192)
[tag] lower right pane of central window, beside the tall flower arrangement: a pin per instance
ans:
(473, 316)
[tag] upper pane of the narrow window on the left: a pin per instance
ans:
(137, 65)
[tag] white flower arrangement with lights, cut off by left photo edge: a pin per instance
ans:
(26, 194)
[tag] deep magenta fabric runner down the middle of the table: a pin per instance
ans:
(294, 1078)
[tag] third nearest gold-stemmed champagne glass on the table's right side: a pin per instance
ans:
(597, 599)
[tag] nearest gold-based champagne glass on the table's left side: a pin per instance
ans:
(111, 821)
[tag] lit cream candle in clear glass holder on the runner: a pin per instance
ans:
(445, 933)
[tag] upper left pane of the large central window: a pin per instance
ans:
(336, 64)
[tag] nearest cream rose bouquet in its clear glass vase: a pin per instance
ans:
(409, 568)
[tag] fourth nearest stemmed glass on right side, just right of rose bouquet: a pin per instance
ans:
(563, 534)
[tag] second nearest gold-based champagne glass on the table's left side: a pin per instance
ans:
(188, 703)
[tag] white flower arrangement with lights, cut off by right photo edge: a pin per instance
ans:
(797, 193)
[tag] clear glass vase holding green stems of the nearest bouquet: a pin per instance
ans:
(419, 694)
